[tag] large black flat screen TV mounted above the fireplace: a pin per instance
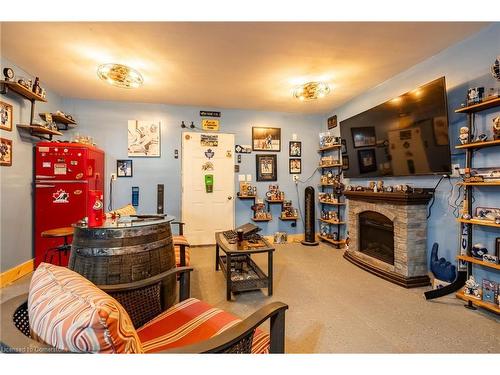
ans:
(405, 136)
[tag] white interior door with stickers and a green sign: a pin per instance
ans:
(207, 212)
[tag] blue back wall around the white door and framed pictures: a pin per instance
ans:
(106, 121)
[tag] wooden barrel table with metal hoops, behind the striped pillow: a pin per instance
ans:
(125, 251)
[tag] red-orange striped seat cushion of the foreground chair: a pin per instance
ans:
(189, 322)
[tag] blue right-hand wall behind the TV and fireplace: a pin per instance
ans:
(465, 64)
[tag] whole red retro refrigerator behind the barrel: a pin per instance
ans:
(63, 174)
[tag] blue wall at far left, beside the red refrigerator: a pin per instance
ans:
(15, 190)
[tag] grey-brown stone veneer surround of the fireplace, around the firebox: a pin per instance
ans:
(410, 236)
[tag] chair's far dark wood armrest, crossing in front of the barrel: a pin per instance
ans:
(184, 282)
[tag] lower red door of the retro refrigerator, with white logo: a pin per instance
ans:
(57, 205)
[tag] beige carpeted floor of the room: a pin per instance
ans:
(335, 307)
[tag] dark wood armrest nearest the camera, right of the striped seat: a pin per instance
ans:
(219, 343)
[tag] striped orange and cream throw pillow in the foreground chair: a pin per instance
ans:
(70, 313)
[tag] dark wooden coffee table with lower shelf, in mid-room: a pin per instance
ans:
(241, 272)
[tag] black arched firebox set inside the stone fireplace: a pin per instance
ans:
(376, 236)
